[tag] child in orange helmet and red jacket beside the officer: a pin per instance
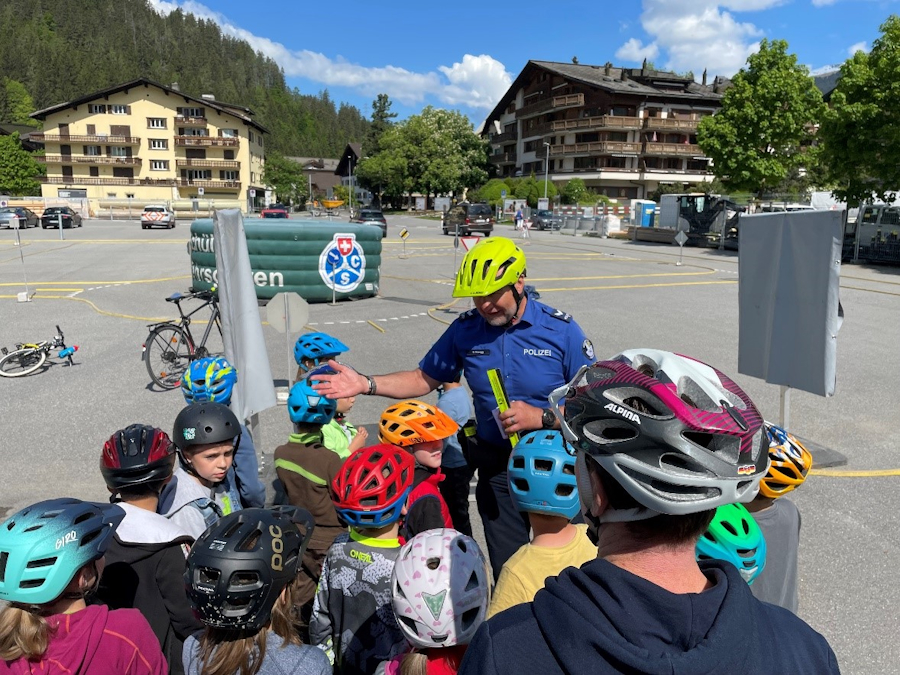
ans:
(420, 429)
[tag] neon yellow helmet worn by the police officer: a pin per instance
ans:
(494, 263)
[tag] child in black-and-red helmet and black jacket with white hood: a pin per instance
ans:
(145, 560)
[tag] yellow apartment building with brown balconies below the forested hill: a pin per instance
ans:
(150, 143)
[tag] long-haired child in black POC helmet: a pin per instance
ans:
(241, 578)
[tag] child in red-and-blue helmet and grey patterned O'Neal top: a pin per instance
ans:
(352, 619)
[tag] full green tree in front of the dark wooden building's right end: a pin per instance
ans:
(766, 126)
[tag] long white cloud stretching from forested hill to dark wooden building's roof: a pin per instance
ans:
(475, 82)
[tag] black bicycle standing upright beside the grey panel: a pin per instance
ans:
(170, 347)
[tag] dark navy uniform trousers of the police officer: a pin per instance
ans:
(506, 530)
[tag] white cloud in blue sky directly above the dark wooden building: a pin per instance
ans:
(701, 34)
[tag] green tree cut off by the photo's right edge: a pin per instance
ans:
(860, 133)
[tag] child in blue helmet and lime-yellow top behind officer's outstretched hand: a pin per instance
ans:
(311, 351)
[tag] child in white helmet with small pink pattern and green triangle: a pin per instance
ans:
(440, 593)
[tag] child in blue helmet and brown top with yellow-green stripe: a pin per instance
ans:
(305, 469)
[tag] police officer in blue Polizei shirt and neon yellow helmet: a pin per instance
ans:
(537, 349)
